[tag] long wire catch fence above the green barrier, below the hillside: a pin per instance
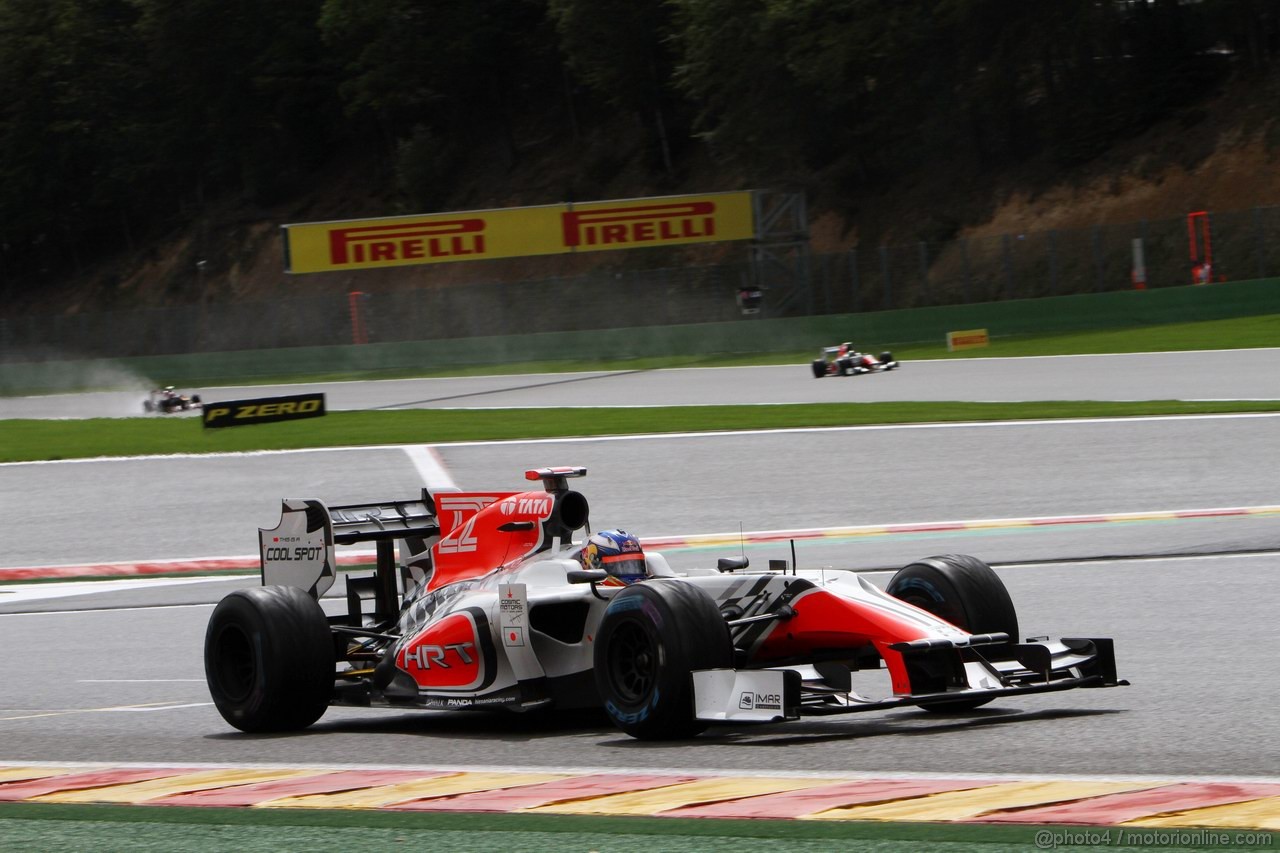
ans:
(1246, 245)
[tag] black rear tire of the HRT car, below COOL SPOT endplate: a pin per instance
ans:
(269, 659)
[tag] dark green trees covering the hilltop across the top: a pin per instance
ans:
(120, 118)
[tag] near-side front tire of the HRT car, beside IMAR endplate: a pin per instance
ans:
(652, 637)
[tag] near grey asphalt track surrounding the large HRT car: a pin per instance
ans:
(117, 674)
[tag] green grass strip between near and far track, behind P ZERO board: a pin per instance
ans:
(56, 440)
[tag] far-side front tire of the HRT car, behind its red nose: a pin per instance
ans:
(966, 592)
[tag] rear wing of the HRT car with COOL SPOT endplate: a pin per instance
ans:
(300, 550)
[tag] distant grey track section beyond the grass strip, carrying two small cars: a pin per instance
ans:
(1231, 375)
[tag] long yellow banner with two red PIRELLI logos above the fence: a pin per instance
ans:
(518, 232)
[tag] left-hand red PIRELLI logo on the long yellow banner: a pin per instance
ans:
(408, 241)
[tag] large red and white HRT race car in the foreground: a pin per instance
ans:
(492, 605)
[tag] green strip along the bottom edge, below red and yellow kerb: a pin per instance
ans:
(205, 831)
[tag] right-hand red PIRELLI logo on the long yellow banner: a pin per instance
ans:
(653, 223)
